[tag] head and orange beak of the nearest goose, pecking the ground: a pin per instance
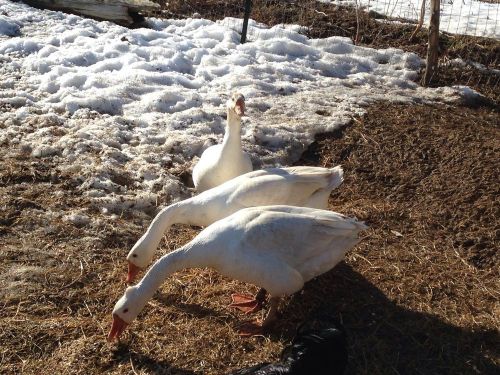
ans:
(125, 311)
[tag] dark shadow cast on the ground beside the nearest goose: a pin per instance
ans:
(386, 338)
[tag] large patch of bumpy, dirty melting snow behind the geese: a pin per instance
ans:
(128, 111)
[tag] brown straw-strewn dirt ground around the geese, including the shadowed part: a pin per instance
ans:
(419, 294)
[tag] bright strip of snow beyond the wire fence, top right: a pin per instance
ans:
(468, 17)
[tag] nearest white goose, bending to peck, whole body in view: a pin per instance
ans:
(278, 248)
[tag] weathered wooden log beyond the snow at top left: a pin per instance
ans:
(123, 12)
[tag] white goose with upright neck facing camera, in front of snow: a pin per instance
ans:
(220, 163)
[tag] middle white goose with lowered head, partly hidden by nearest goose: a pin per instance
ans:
(294, 186)
